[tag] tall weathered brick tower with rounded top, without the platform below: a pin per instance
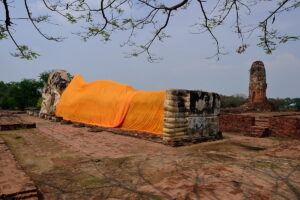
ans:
(257, 100)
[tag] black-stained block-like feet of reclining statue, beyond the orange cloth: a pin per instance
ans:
(191, 115)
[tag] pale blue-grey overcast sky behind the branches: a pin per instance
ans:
(184, 65)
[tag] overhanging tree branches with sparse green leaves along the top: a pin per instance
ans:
(136, 16)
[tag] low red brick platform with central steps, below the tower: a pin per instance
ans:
(276, 124)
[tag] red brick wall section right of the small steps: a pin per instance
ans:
(285, 127)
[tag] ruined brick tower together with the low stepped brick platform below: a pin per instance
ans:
(254, 117)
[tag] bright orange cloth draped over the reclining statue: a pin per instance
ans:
(110, 104)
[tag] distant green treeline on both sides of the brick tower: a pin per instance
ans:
(280, 103)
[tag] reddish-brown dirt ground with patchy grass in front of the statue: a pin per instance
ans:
(65, 162)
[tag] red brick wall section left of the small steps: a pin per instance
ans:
(235, 122)
